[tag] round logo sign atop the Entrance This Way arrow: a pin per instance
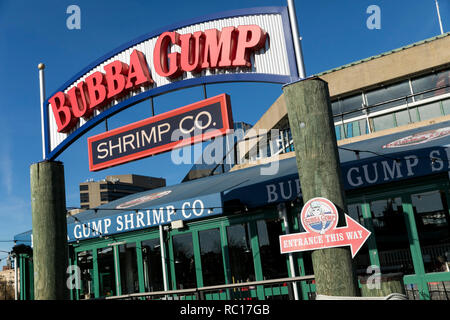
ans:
(319, 215)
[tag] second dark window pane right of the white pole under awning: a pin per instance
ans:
(211, 255)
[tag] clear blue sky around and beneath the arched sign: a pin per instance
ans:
(334, 33)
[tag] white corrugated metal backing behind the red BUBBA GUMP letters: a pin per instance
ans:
(272, 59)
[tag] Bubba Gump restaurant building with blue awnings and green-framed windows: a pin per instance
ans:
(392, 118)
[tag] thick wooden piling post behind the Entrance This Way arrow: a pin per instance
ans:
(311, 122)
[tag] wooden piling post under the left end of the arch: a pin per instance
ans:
(48, 205)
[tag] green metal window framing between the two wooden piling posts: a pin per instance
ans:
(194, 228)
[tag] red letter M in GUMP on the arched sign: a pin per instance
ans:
(218, 48)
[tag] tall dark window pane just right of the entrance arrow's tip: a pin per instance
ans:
(391, 236)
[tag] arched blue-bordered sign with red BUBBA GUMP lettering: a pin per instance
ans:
(242, 45)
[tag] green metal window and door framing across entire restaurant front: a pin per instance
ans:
(360, 197)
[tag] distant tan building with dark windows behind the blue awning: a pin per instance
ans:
(96, 193)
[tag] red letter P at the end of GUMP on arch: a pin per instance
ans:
(250, 38)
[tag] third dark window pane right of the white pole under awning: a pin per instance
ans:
(241, 258)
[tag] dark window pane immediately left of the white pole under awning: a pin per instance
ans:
(151, 258)
